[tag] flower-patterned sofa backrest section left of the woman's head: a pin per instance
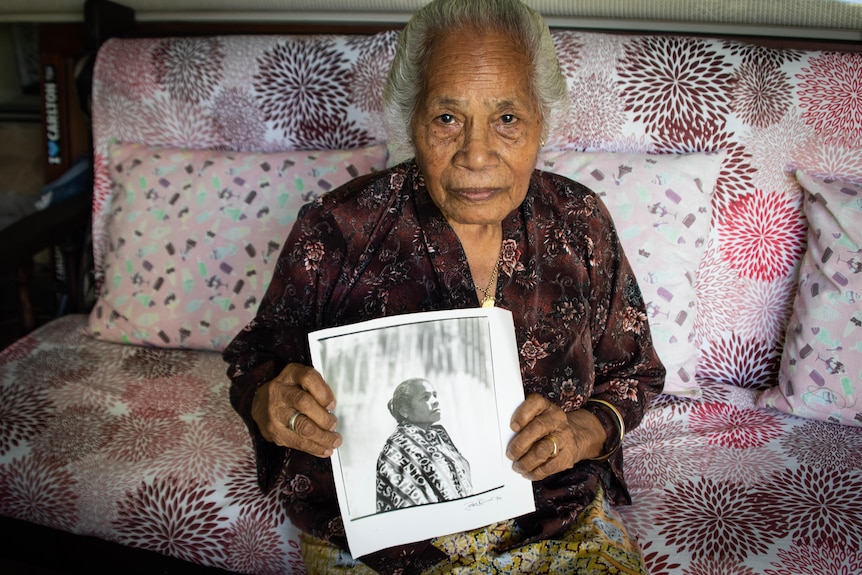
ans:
(241, 93)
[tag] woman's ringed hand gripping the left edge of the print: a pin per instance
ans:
(298, 393)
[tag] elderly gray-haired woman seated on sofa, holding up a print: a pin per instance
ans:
(473, 90)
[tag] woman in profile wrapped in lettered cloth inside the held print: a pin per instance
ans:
(419, 463)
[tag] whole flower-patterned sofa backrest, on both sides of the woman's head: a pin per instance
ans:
(770, 111)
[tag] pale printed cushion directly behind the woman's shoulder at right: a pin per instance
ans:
(661, 205)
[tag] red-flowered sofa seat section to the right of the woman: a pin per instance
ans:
(722, 486)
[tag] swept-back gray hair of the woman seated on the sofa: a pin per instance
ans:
(407, 75)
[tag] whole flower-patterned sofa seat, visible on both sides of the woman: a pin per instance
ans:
(140, 446)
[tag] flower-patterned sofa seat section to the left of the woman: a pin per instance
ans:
(136, 445)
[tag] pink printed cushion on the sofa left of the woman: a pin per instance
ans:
(194, 235)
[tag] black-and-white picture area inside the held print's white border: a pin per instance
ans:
(417, 410)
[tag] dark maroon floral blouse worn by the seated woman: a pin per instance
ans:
(379, 246)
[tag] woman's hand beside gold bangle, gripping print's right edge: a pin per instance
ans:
(549, 440)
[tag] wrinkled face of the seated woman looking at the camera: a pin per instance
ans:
(477, 127)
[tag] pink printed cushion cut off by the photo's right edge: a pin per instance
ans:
(820, 374)
